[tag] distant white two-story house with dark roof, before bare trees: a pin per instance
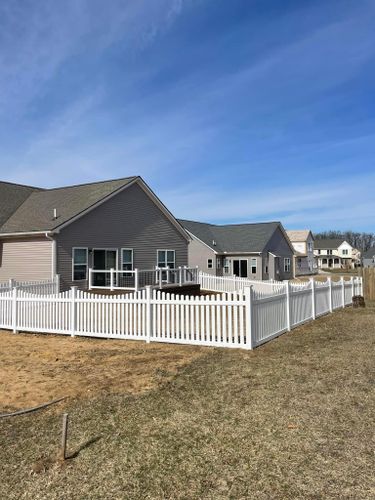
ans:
(335, 254)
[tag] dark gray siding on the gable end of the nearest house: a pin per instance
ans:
(128, 220)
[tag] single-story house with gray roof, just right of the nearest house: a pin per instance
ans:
(256, 251)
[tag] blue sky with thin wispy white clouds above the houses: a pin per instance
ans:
(232, 111)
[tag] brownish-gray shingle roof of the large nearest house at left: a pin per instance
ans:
(32, 208)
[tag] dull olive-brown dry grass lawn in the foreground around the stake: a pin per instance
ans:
(293, 419)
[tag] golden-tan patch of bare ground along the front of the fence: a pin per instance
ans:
(38, 368)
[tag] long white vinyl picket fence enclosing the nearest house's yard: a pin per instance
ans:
(243, 319)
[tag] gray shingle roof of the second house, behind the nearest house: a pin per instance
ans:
(248, 238)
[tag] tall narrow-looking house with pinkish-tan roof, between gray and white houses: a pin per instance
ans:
(303, 244)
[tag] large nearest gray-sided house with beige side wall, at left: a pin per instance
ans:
(112, 224)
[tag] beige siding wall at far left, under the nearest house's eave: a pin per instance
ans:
(26, 259)
